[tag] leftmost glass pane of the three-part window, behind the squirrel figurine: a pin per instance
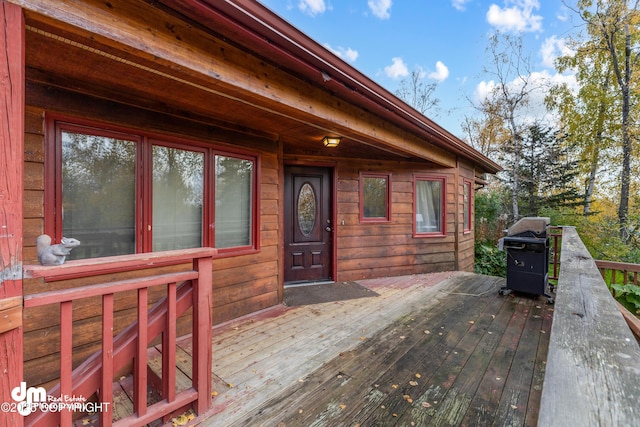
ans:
(98, 194)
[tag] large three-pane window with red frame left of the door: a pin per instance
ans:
(121, 193)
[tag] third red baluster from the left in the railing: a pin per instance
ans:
(140, 370)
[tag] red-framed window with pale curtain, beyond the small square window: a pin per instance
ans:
(429, 206)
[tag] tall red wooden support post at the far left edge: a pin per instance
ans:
(12, 98)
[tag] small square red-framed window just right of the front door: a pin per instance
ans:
(375, 197)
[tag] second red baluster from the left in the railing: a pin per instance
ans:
(106, 391)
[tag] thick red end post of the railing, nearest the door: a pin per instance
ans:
(202, 323)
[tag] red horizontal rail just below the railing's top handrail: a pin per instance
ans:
(70, 294)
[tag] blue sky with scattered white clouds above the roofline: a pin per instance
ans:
(445, 39)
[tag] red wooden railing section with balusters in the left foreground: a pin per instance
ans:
(184, 289)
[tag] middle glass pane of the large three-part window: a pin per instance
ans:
(178, 178)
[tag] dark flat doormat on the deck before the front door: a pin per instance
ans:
(328, 292)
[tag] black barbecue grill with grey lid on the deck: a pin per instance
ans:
(527, 246)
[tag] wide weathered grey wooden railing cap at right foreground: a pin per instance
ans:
(592, 374)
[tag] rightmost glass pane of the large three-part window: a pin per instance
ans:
(234, 186)
